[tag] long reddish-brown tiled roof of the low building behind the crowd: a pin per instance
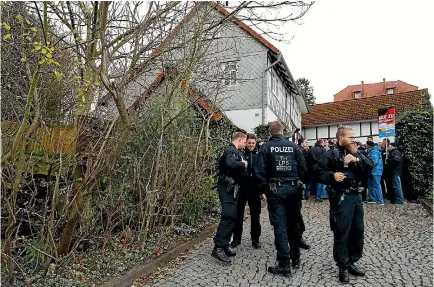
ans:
(361, 109)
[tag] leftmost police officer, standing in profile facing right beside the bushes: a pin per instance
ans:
(232, 168)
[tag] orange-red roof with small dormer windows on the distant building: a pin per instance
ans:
(369, 90)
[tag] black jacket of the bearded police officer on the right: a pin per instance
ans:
(333, 162)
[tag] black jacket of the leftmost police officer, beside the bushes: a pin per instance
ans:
(231, 165)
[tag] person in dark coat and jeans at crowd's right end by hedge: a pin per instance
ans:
(394, 173)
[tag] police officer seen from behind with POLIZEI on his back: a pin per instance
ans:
(280, 165)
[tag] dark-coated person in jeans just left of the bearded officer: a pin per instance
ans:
(315, 153)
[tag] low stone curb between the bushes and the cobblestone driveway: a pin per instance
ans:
(128, 279)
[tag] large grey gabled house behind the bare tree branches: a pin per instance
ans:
(241, 72)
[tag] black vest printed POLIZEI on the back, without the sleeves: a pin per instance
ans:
(281, 162)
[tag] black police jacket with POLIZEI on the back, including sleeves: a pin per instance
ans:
(279, 160)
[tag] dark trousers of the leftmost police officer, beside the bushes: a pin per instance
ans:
(228, 217)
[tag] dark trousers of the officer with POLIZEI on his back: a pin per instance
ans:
(284, 212)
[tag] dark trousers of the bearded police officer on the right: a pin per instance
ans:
(346, 222)
